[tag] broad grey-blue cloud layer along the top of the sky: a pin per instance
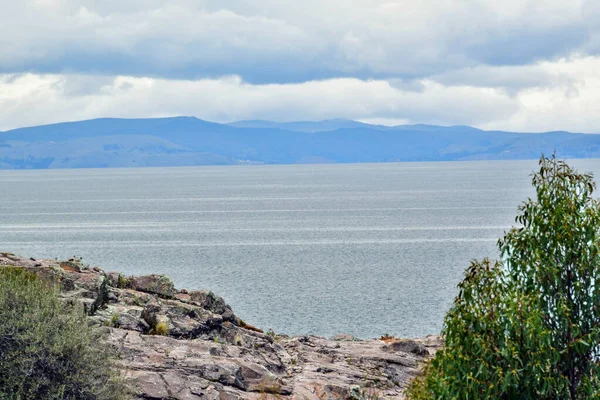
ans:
(269, 41)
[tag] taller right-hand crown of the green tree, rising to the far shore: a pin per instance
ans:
(555, 256)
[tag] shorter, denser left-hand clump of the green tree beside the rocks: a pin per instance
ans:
(495, 343)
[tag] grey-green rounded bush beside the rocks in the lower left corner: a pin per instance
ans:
(47, 349)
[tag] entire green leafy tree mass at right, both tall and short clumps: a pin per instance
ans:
(529, 327)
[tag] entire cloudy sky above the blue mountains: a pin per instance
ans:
(517, 65)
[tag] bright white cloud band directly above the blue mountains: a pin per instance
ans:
(567, 96)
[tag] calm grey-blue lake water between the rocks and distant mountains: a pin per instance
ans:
(365, 249)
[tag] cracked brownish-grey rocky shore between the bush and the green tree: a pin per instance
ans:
(175, 344)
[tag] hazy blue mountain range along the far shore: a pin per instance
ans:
(185, 141)
